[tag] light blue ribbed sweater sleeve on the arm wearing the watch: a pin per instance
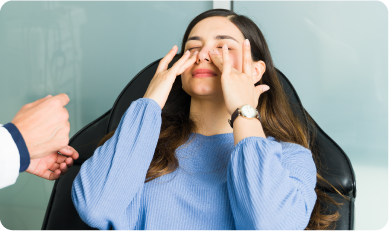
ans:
(271, 184)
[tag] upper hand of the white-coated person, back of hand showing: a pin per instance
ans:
(44, 125)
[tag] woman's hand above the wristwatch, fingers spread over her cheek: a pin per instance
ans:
(238, 88)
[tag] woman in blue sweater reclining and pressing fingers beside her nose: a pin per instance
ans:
(175, 163)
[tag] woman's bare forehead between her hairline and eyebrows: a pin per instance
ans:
(209, 27)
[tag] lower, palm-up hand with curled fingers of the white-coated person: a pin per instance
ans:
(52, 166)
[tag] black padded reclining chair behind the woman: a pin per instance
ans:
(335, 166)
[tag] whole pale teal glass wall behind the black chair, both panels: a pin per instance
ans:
(334, 53)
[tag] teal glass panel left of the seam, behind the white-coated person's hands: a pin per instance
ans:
(88, 50)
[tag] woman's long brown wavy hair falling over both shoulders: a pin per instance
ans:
(277, 117)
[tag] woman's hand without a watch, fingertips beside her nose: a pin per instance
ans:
(162, 82)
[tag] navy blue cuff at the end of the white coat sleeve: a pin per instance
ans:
(22, 147)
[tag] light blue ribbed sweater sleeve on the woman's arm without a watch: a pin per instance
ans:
(107, 190)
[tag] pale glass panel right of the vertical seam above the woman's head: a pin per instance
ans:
(336, 56)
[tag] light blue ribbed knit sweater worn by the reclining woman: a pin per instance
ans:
(257, 184)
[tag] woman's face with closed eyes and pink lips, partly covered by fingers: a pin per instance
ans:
(203, 77)
